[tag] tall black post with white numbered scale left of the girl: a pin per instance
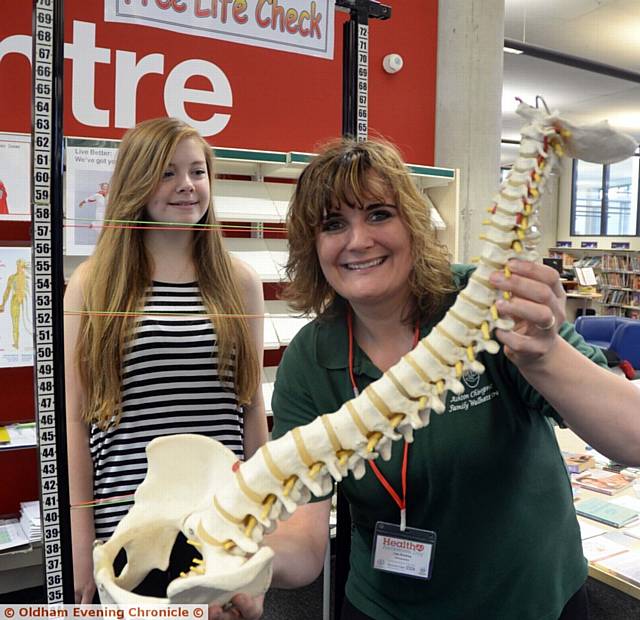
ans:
(48, 284)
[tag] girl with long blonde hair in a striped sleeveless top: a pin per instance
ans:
(163, 335)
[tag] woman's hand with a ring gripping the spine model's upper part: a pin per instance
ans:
(537, 306)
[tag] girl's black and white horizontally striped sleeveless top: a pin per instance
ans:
(170, 385)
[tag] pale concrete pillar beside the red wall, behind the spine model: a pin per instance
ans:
(468, 102)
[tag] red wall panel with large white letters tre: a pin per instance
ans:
(238, 95)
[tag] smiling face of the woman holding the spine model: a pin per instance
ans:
(364, 248)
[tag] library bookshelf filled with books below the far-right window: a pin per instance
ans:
(618, 274)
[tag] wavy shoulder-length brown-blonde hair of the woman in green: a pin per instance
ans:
(340, 172)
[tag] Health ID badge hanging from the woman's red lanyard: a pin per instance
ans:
(409, 552)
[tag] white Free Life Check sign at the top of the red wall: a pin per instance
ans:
(297, 26)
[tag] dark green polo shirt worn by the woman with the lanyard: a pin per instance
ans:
(486, 476)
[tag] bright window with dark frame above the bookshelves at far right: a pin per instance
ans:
(605, 198)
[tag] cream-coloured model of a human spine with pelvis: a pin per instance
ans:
(225, 507)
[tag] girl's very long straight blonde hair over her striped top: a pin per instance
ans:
(120, 272)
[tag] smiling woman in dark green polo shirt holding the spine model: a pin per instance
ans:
(482, 490)
